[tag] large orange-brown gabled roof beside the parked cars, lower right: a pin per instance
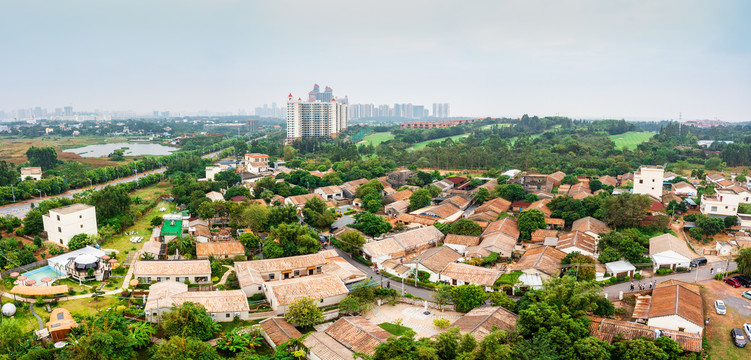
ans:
(677, 299)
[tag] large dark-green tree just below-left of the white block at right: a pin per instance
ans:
(626, 210)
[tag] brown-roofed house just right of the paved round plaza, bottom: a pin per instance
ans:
(482, 321)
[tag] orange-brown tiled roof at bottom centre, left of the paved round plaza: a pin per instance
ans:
(358, 334)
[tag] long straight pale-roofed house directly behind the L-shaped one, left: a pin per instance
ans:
(194, 271)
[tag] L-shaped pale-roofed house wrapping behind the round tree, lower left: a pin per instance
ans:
(222, 306)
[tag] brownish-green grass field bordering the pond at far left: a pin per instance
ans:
(12, 149)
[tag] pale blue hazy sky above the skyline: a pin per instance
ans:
(584, 59)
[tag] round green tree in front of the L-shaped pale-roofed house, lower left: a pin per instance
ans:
(188, 320)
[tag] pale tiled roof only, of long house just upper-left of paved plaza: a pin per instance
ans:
(314, 286)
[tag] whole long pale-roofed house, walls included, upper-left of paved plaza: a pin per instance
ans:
(326, 290)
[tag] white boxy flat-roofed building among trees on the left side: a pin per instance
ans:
(63, 223)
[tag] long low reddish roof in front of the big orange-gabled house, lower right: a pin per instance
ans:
(609, 330)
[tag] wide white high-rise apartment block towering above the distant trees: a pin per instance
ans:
(315, 118)
